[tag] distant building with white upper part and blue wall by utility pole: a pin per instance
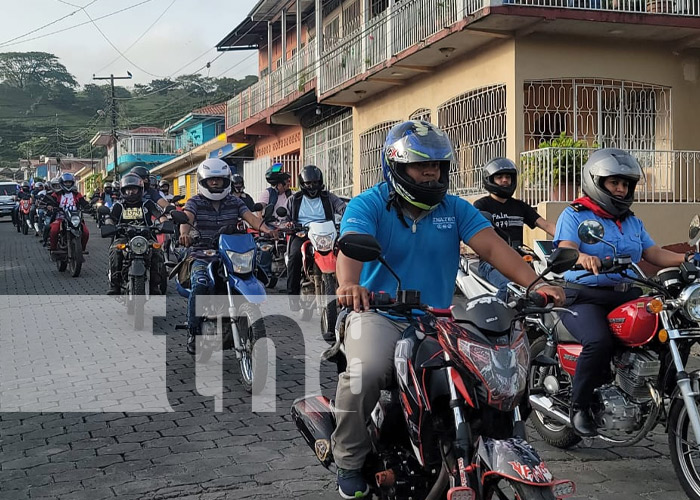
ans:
(142, 146)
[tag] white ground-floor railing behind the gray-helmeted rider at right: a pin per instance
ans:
(554, 174)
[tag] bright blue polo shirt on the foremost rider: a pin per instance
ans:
(427, 259)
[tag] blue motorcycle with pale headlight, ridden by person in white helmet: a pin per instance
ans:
(237, 322)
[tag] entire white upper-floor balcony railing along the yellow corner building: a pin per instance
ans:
(403, 25)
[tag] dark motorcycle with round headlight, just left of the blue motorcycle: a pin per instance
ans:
(137, 254)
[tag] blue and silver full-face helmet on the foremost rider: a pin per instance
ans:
(417, 142)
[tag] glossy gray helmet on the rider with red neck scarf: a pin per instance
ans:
(610, 162)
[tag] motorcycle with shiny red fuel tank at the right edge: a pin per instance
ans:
(648, 382)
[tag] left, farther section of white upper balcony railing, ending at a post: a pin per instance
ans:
(291, 77)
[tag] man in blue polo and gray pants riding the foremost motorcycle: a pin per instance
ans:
(420, 228)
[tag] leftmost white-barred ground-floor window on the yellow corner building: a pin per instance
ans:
(329, 147)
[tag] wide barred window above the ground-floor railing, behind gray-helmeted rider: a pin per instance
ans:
(601, 112)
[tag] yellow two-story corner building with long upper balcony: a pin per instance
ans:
(500, 77)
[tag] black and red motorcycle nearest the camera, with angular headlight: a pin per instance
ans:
(451, 426)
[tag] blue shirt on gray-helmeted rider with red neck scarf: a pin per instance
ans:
(632, 241)
